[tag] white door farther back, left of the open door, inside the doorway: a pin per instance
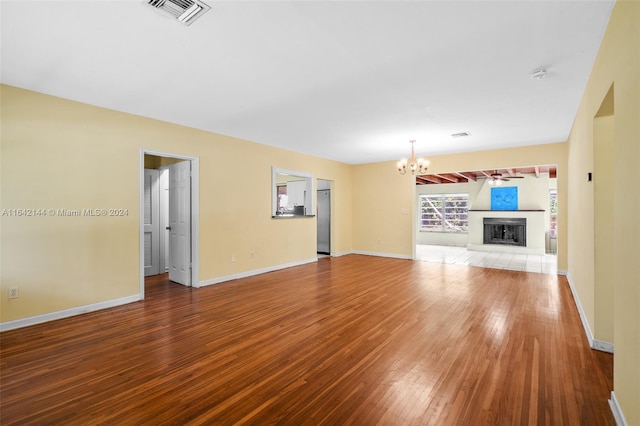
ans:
(151, 223)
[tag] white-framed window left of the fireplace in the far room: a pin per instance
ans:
(444, 213)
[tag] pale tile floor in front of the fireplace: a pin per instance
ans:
(545, 264)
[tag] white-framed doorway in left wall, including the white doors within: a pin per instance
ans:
(172, 227)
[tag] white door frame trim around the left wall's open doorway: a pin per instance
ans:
(195, 208)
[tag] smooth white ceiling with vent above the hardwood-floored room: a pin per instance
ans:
(352, 81)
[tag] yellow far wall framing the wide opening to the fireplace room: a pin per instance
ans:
(381, 194)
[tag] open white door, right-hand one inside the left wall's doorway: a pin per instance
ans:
(180, 222)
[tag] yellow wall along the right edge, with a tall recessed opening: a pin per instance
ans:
(617, 64)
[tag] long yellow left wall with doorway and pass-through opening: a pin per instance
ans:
(59, 154)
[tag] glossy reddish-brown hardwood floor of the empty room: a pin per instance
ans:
(350, 340)
